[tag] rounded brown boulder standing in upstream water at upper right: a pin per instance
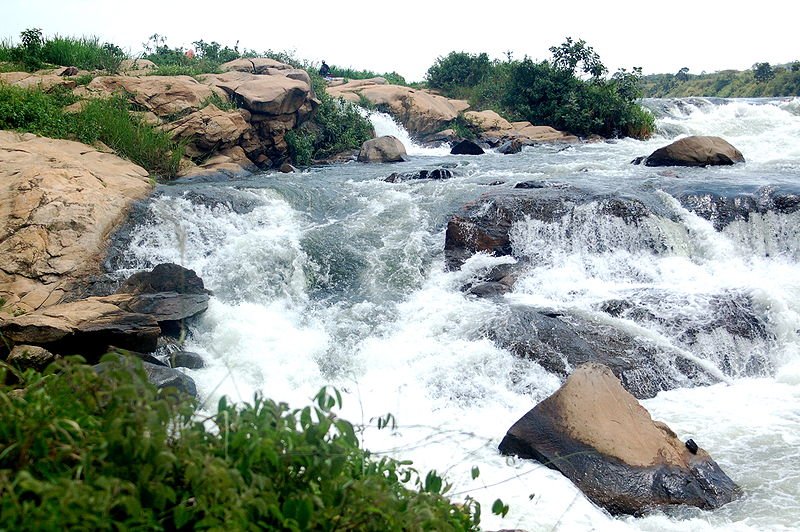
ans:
(696, 151)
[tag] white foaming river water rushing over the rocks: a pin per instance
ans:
(333, 276)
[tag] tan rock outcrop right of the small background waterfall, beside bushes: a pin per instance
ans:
(420, 112)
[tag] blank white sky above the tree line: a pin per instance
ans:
(407, 36)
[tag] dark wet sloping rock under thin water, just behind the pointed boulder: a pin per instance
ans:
(562, 342)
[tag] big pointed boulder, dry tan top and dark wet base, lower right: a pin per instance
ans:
(604, 441)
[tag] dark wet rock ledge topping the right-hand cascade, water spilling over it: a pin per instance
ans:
(484, 225)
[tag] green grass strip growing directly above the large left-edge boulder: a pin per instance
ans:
(104, 120)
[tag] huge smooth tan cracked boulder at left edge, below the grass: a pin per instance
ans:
(59, 201)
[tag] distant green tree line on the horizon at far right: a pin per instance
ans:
(763, 80)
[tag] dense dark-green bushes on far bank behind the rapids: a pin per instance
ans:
(569, 92)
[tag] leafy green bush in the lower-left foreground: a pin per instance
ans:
(105, 451)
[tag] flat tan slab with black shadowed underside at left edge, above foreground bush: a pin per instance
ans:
(87, 327)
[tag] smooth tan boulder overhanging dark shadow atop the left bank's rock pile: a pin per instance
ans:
(269, 95)
